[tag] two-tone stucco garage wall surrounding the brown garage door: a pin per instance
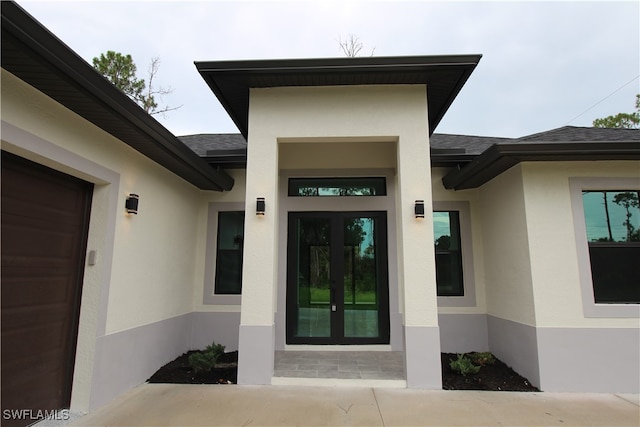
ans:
(143, 280)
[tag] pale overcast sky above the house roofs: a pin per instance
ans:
(545, 64)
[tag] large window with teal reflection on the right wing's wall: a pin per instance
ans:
(612, 220)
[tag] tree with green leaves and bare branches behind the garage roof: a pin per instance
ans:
(120, 70)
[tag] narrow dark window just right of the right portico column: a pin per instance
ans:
(446, 230)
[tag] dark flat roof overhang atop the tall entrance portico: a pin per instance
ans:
(444, 76)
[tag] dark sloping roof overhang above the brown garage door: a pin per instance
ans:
(36, 56)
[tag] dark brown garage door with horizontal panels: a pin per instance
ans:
(45, 219)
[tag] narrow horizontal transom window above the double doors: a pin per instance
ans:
(314, 187)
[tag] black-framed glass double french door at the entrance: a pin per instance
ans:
(337, 278)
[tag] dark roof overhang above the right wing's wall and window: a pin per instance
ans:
(500, 157)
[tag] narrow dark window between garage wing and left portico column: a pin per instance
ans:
(229, 253)
